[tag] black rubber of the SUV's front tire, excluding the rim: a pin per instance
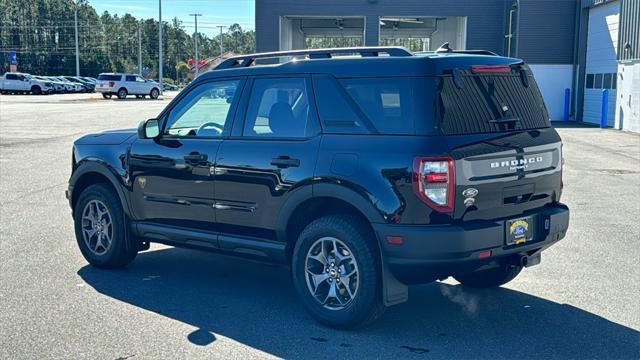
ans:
(119, 253)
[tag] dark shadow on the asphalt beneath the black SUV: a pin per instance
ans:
(256, 305)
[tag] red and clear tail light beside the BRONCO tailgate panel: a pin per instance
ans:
(434, 182)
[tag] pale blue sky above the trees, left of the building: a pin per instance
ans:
(214, 12)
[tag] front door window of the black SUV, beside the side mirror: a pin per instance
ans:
(204, 112)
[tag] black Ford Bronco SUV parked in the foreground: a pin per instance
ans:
(363, 169)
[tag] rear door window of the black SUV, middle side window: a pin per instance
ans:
(279, 108)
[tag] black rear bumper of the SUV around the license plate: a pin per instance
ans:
(432, 252)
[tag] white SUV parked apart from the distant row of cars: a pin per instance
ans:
(123, 85)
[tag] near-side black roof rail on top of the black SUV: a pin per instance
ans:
(248, 60)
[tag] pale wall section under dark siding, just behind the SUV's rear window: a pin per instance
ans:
(552, 80)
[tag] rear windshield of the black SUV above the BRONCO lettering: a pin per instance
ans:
(470, 103)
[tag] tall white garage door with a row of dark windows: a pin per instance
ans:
(601, 65)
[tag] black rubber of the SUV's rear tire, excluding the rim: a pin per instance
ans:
(366, 305)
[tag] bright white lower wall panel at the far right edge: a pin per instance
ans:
(628, 99)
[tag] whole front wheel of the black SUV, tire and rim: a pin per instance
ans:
(113, 253)
